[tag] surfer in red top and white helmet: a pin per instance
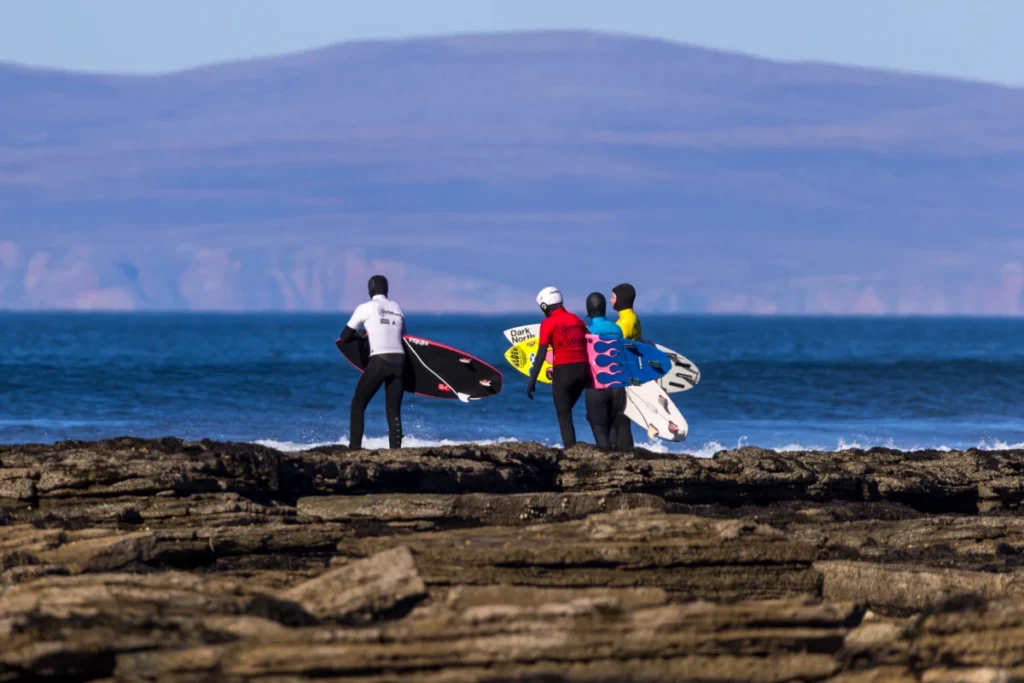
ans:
(566, 335)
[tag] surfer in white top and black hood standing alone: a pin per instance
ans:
(386, 326)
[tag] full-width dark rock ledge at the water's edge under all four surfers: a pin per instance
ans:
(928, 482)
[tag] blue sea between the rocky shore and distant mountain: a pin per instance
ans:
(279, 380)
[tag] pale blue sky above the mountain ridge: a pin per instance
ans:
(971, 39)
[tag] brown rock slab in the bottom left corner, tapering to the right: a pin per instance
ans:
(70, 628)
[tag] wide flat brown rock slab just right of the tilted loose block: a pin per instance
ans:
(687, 557)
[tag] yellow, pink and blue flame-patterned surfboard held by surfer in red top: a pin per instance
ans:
(614, 363)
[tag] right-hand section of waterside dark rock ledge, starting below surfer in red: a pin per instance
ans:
(929, 482)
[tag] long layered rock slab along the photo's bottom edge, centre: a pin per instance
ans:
(576, 639)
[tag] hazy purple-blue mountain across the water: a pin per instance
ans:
(475, 170)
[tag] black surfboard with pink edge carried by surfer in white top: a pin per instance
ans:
(435, 370)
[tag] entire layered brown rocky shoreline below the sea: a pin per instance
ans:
(163, 561)
